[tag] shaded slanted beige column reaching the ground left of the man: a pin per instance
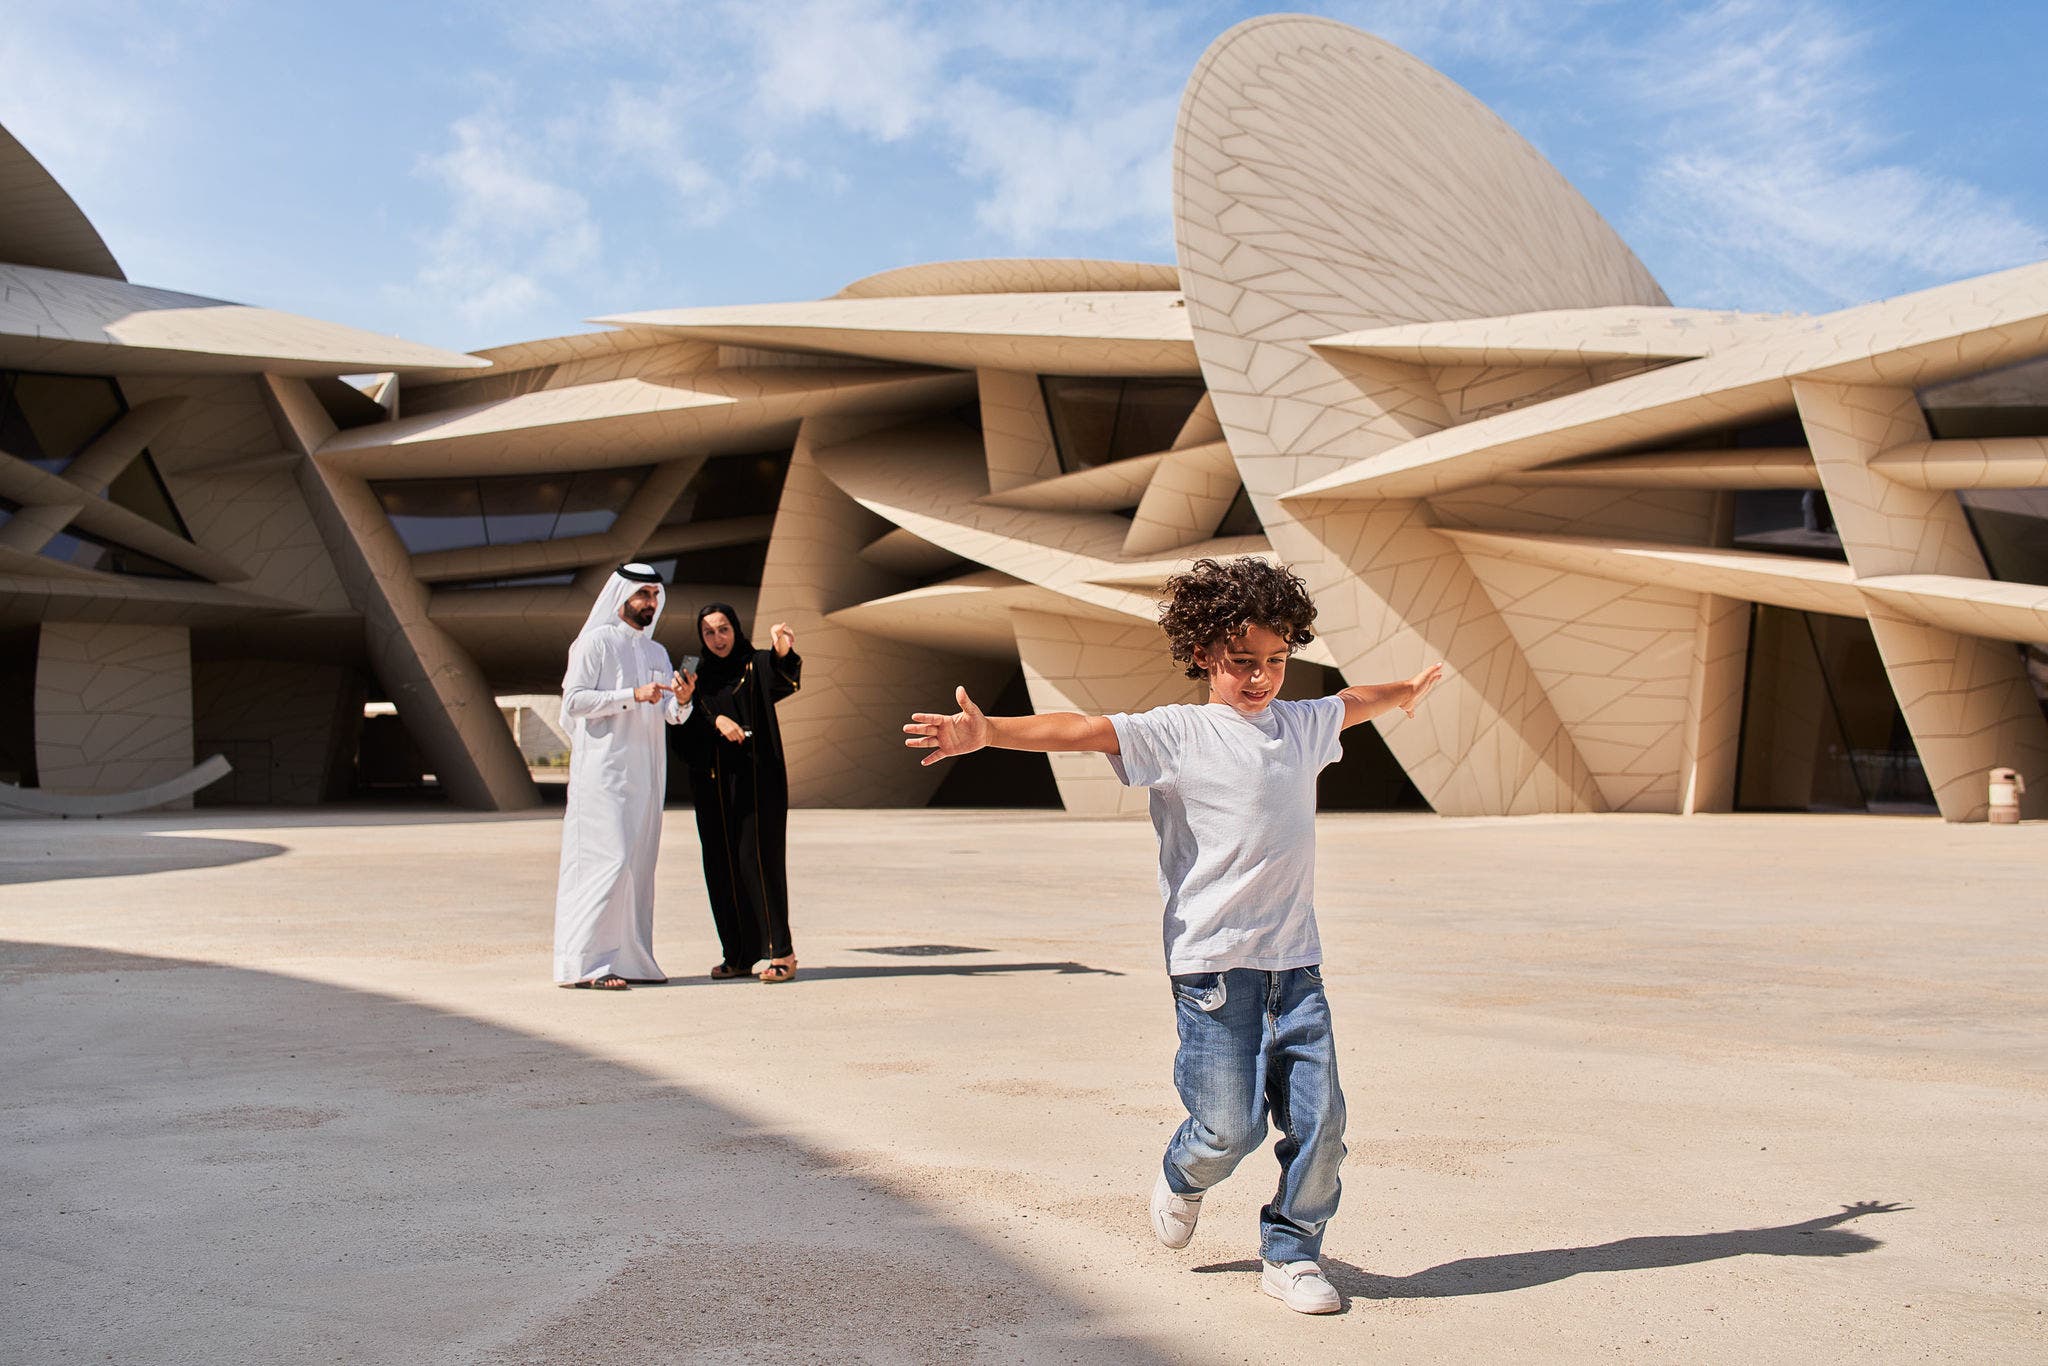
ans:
(439, 693)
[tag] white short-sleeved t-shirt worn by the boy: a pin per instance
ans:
(1234, 804)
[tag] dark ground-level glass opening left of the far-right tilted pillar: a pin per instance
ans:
(1822, 728)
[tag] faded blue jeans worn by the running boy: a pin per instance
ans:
(1252, 1045)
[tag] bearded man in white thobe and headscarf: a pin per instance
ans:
(615, 699)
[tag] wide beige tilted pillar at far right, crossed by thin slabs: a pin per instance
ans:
(1967, 701)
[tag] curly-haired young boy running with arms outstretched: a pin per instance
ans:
(1234, 802)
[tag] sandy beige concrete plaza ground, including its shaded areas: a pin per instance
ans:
(298, 1091)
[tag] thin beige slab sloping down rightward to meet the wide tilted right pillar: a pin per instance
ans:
(1781, 581)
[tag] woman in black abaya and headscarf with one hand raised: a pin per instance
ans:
(734, 749)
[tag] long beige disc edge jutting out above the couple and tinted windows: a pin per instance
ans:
(632, 421)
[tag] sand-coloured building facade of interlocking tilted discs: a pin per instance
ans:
(1678, 560)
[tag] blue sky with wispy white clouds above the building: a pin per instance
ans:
(472, 175)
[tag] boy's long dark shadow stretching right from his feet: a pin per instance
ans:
(1519, 1271)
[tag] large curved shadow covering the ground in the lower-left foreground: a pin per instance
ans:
(210, 1164)
